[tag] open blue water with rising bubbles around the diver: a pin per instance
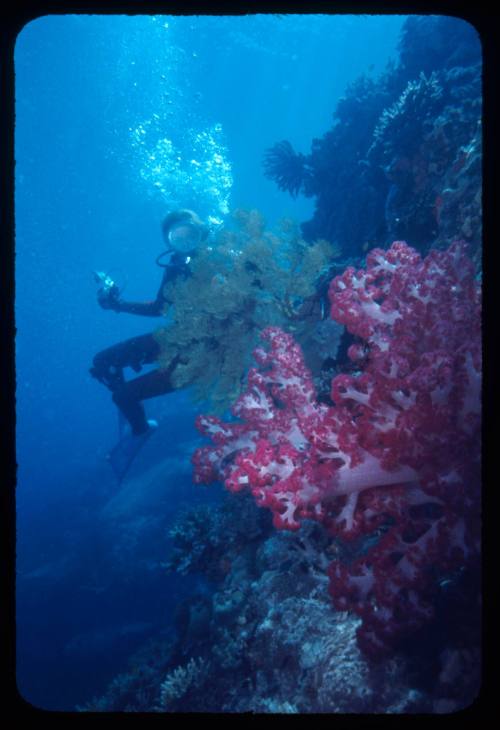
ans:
(88, 196)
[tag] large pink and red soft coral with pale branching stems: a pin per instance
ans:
(399, 449)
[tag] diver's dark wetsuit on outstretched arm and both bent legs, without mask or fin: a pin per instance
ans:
(108, 364)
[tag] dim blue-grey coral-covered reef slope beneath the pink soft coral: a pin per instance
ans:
(266, 640)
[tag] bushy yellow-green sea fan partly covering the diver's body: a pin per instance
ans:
(246, 280)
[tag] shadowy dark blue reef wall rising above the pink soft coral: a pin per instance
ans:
(403, 158)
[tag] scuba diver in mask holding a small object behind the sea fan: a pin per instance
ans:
(183, 231)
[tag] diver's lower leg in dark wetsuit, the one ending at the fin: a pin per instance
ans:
(128, 395)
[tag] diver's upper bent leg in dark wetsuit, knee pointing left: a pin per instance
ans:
(108, 364)
